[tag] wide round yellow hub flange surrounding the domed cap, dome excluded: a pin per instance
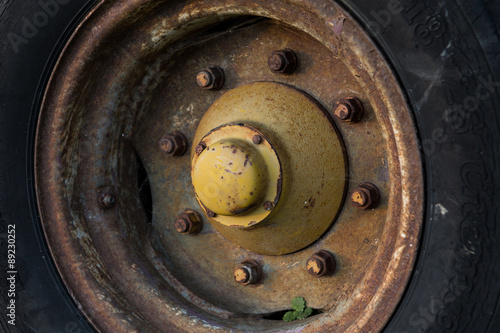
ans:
(310, 141)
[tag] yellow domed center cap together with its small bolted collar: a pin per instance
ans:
(236, 175)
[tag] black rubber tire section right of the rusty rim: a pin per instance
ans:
(447, 57)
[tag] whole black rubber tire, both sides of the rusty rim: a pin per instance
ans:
(447, 57)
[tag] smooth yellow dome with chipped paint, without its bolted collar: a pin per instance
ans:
(230, 177)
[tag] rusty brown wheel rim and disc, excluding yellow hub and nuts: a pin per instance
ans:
(99, 112)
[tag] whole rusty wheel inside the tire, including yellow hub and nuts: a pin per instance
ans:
(143, 92)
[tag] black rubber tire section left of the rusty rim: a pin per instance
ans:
(42, 304)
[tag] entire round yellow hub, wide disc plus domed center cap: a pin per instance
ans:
(239, 180)
